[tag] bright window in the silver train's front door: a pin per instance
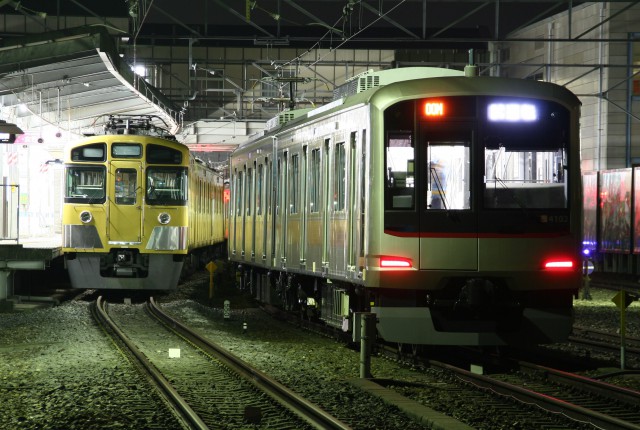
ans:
(448, 186)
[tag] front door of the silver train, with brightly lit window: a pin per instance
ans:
(448, 223)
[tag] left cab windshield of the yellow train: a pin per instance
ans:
(85, 184)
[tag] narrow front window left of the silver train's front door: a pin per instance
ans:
(400, 171)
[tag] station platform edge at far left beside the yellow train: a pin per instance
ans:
(34, 253)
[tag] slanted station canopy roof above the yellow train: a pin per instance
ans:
(73, 80)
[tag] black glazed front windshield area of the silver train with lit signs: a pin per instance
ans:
(474, 154)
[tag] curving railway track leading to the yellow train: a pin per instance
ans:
(207, 386)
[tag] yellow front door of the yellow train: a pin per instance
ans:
(125, 203)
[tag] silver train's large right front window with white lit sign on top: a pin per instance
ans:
(525, 156)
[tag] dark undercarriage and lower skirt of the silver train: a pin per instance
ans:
(470, 311)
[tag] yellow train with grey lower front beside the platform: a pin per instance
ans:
(137, 205)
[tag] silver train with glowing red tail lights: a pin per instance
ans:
(449, 205)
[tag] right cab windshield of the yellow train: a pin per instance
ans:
(166, 186)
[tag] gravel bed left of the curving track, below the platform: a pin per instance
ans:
(59, 371)
